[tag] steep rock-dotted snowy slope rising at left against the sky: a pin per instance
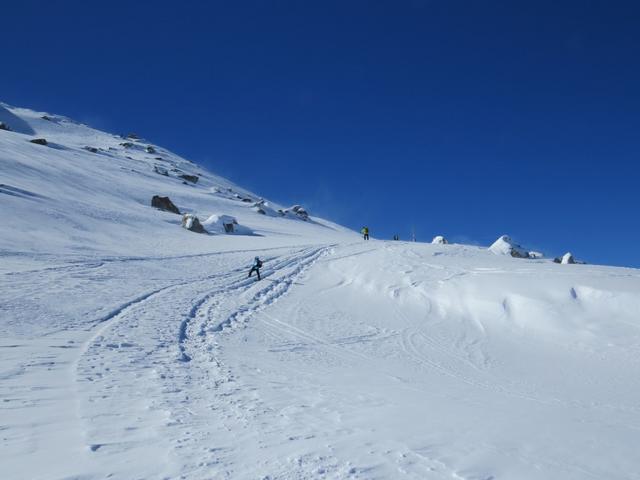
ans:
(95, 182)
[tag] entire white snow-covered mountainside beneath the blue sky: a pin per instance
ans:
(131, 348)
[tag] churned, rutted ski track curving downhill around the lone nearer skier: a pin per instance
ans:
(106, 363)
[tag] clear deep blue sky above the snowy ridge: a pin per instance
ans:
(464, 118)
